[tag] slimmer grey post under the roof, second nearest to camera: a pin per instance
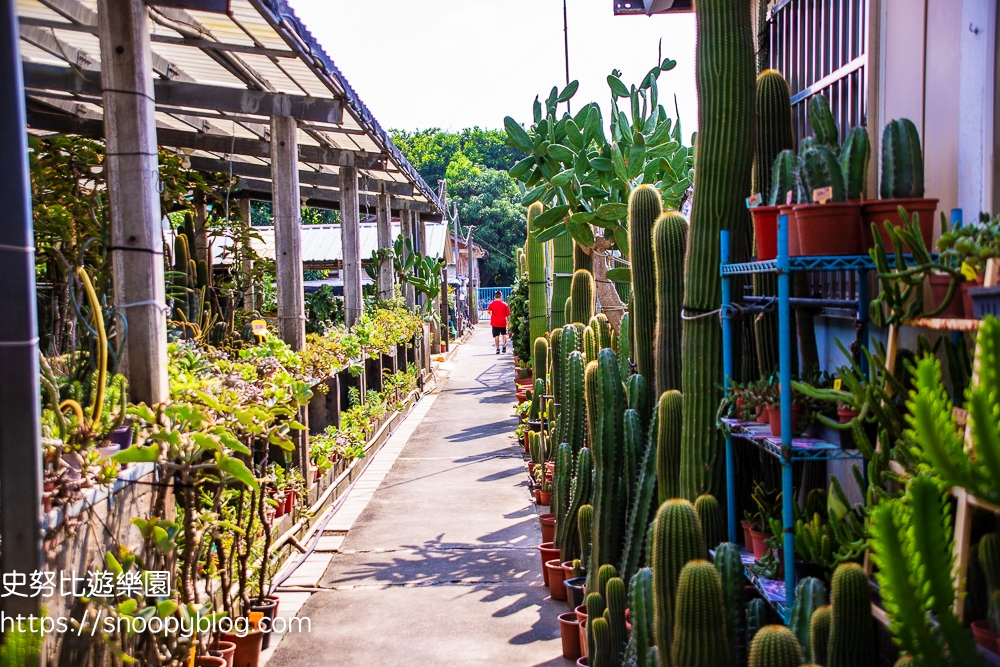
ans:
(287, 231)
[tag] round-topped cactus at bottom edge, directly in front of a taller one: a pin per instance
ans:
(699, 636)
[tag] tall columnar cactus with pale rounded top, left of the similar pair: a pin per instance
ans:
(644, 207)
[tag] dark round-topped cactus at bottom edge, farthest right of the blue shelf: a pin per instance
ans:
(852, 637)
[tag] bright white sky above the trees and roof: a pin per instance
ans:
(454, 64)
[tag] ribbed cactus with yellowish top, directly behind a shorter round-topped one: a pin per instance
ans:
(676, 539)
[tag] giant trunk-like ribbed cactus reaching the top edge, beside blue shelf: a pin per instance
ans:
(726, 74)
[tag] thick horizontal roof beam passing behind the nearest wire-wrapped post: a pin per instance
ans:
(189, 94)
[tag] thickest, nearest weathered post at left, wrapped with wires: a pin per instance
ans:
(133, 197)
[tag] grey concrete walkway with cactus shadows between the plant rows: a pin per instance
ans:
(440, 564)
